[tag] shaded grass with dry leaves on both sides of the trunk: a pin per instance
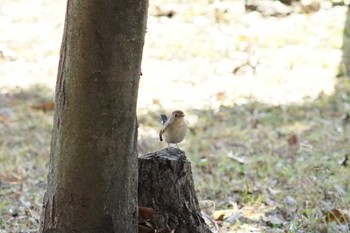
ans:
(242, 154)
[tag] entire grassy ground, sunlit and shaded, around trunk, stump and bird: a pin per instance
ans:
(268, 116)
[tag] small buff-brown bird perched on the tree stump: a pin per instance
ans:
(174, 129)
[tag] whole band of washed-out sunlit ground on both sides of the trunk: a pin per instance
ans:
(191, 60)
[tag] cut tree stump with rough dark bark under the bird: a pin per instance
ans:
(166, 185)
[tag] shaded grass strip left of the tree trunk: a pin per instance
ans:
(24, 149)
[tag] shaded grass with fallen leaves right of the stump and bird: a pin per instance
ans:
(260, 155)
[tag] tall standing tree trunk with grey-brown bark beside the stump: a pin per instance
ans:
(92, 181)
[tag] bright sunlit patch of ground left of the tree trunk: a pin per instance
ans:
(31, 33)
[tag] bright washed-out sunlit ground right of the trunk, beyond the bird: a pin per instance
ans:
(251, 57)
